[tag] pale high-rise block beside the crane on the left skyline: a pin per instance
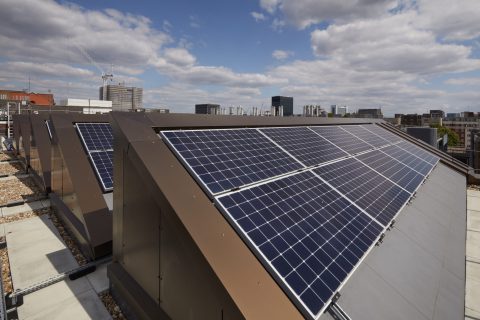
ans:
(123, 98)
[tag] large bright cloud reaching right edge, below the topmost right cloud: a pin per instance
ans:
(391, 43)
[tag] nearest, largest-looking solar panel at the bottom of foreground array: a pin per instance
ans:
(306, 234)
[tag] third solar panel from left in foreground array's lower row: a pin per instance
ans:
(392, 169)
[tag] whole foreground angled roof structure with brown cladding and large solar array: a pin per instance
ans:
(278, 218)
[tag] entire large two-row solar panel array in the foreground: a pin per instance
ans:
(310, 202)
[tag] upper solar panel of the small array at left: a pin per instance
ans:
(96, 136)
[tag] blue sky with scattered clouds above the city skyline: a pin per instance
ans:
(404, 56)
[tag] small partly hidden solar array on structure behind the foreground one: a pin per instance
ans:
(97, 139)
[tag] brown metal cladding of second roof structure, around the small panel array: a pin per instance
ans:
(75, 182)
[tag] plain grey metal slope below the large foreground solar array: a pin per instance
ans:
(419, 270)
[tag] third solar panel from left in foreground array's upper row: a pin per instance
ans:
(342, 139)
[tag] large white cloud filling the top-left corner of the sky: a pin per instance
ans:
(108, 36)
